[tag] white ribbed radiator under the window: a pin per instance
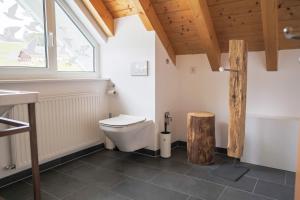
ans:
(64, 124)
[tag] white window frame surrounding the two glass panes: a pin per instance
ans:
(51, 68)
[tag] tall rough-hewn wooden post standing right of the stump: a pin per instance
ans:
(237, 97)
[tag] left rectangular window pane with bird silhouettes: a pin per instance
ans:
(22, 36)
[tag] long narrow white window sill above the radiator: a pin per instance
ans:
(53, 80)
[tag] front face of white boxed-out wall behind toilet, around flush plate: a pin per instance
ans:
(131, 43)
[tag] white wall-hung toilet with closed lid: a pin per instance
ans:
(128, 133)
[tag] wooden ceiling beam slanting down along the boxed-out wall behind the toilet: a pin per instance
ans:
(151, 22)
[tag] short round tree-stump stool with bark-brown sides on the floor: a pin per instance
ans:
(201, 137)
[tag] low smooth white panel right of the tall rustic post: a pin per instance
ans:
(271, 141)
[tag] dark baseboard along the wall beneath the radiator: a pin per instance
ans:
(48, 165)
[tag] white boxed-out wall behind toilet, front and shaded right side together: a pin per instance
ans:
(145, 95)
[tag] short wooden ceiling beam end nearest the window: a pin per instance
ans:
(102, 15)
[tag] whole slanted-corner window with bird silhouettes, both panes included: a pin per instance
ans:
(44, 35)
